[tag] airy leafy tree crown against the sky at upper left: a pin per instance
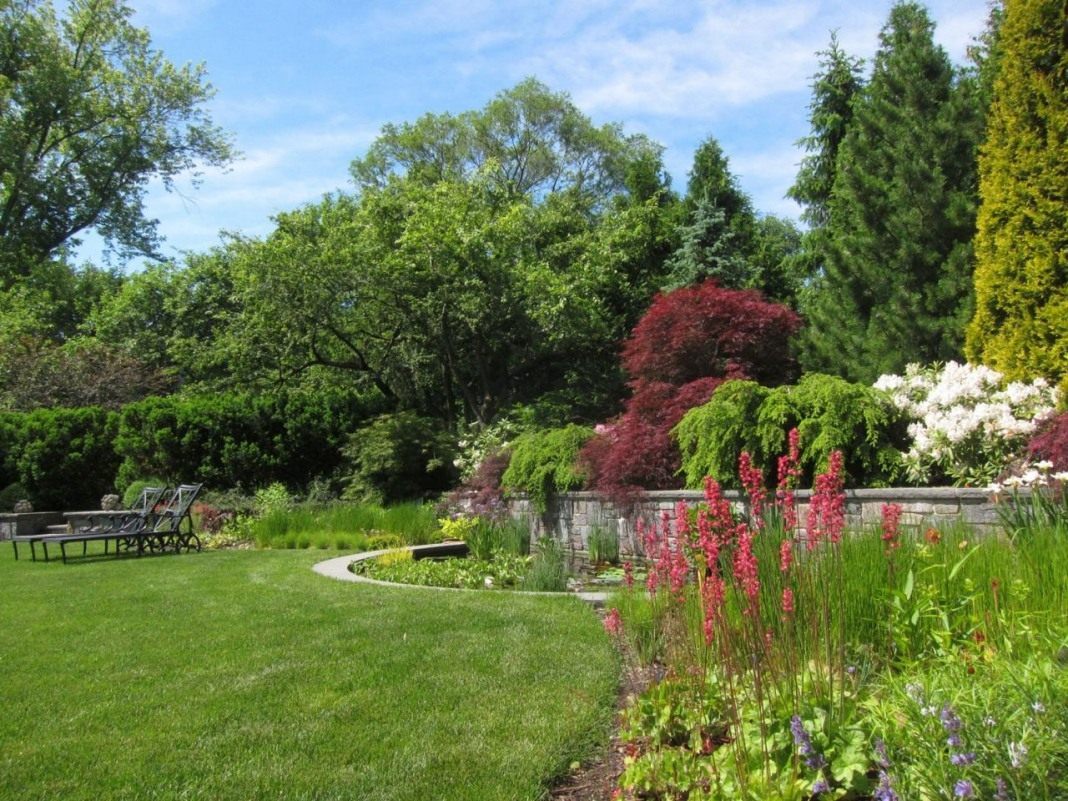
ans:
(91, 115)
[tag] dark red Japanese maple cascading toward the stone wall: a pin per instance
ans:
(688, 343)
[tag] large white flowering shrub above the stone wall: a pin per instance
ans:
(967, 423)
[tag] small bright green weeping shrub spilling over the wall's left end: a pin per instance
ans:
(545, 463)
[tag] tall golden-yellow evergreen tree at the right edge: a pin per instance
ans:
(1022, 274)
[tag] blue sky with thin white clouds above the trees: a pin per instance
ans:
(305, 87)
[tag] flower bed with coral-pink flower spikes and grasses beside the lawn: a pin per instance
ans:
(916, 663)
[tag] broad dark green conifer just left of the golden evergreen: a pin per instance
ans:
(897, 287)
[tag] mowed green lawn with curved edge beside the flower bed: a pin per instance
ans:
(244, 676)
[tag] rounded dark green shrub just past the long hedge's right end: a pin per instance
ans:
(398, 458)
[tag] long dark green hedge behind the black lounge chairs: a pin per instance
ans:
(71, 458)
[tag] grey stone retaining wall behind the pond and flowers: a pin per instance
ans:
(572, 516)
